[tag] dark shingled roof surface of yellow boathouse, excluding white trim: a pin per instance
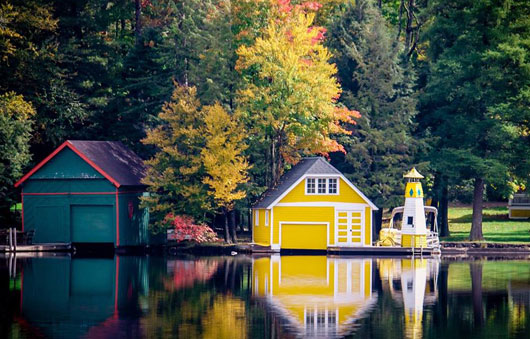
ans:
(313, 165)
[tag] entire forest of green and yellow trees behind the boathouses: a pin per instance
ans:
(223, 96)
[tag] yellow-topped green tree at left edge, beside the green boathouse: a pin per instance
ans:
(15, 132)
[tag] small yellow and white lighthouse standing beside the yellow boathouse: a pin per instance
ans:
(413, 226)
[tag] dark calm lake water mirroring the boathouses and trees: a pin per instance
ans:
(262, 297)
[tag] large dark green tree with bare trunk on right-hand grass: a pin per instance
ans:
(467, 87)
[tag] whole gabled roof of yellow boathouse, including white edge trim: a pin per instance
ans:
(306, 166)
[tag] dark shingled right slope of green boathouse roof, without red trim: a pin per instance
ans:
(115, 159)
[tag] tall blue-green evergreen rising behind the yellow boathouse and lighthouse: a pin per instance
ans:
(381, 147)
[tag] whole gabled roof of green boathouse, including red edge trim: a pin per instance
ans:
(112, 159)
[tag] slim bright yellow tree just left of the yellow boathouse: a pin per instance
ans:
(225, 165)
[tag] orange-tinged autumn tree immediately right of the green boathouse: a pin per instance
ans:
(175, 173)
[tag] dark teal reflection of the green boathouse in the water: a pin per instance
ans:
(82, 297)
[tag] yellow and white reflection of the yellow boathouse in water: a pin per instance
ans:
(316, 295)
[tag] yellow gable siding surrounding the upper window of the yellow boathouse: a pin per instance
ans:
(346, 194)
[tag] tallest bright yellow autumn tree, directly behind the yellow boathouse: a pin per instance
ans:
(289, 96)
